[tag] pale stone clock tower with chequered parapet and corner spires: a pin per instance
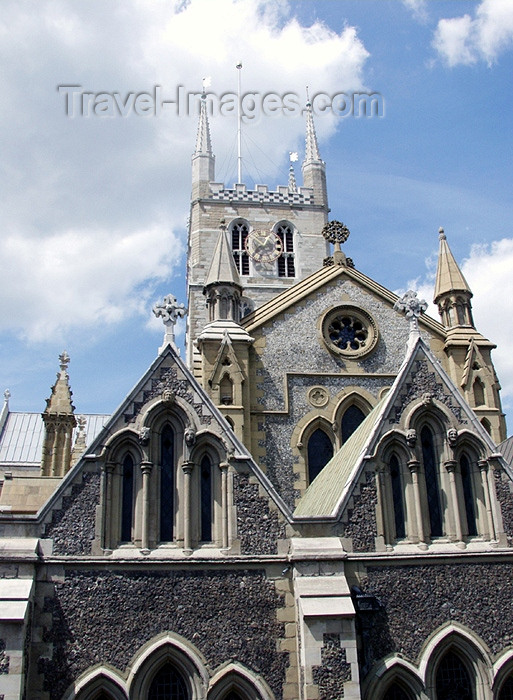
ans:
(274, 236)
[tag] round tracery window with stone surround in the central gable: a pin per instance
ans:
(349, 331)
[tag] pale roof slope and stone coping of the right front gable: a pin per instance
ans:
(327, 496)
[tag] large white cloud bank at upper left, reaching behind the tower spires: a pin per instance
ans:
(93, 209)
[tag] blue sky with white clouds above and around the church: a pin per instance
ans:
(95, 181)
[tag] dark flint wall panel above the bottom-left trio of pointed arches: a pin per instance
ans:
(105, 617)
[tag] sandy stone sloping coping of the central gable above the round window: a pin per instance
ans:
(316, 281)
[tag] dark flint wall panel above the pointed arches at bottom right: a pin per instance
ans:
(417, 600)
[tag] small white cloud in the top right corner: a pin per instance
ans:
(466, 40)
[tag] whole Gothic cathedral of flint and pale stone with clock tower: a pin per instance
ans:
(313, 503)
